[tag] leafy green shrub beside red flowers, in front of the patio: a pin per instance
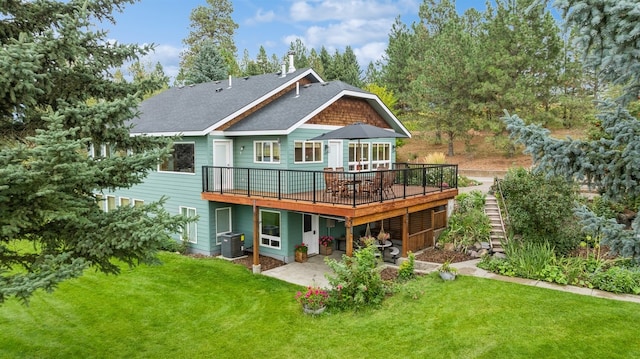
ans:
(357, 283)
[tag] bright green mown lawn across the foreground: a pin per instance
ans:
(192, 308)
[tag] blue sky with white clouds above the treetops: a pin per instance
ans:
(274, 24)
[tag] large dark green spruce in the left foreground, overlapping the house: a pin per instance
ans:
(57, 100)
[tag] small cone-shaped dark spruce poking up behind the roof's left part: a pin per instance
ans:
(208, 65)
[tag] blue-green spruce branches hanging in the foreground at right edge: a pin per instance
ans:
(606, 32)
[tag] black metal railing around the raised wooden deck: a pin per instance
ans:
(407, 180)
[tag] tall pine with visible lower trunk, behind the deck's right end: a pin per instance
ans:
(446, 70)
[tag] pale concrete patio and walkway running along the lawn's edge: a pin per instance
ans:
(313, 272)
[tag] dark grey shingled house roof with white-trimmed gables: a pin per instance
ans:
(200, 109)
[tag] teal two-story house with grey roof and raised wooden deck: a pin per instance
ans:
(246, 163)
